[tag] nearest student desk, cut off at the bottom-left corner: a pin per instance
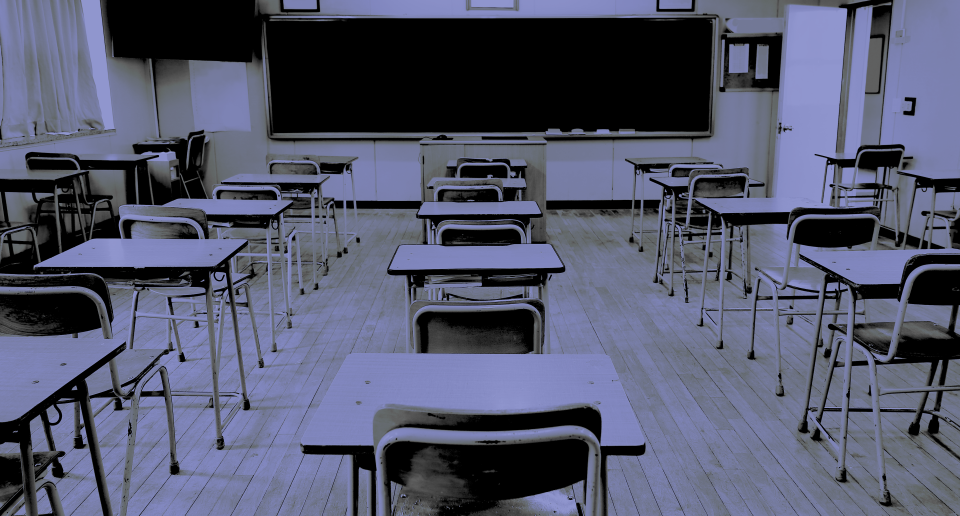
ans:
(34, 374)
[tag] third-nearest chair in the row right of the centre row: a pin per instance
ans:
(705, 183)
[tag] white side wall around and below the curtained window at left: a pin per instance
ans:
(134, 118)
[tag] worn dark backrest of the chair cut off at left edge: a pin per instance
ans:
(54, 304)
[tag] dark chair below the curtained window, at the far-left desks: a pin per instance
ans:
(89, 203)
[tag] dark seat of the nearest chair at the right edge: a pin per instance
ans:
(918, 339)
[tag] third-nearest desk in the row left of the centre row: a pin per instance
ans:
(249, 212)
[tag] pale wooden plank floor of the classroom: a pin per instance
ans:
(719, 440)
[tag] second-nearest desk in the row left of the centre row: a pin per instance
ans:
(158, 258)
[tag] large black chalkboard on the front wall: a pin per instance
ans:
(368, 77)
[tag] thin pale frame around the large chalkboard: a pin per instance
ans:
(416, 135)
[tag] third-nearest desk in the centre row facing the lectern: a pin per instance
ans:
(437, 212)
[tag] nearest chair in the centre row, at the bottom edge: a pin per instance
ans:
(469, 458)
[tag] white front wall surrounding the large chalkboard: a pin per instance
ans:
(387, 169)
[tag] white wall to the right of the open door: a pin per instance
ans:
(926, 67)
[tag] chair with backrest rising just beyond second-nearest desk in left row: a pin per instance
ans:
(161, 222)
